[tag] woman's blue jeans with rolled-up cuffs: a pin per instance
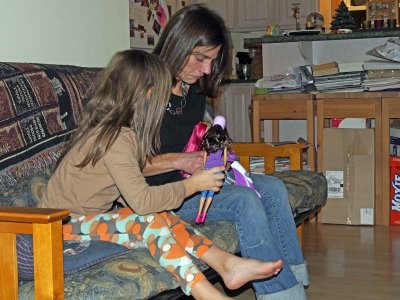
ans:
(265, 227)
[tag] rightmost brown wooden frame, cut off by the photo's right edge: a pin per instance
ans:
(390, 110)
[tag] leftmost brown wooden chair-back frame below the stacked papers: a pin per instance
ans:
(277, 107)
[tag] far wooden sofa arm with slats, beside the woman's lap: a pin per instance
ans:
(270, 153)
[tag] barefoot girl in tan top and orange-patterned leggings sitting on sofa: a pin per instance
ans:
(103, 162)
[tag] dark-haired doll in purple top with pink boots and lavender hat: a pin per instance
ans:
(216, 144)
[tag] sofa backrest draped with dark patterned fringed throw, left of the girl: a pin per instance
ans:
(40, 105)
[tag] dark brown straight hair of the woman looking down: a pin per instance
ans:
(190, 27)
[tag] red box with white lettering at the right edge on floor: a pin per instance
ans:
(394, 190)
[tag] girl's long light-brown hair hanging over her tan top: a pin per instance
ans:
(132, 91)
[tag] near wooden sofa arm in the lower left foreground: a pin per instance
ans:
(45, 225)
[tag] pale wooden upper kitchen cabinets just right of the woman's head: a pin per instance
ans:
(254, 15)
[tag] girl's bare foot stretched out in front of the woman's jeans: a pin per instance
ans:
(242, 270)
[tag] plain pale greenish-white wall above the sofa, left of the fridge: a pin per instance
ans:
(78, 32)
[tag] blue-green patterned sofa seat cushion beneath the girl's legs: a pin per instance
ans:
(134, 275)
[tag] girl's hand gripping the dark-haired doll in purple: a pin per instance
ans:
(202, 180)
